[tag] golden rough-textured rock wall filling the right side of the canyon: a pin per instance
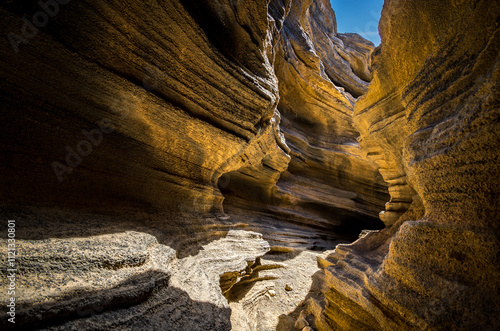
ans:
(430, 121)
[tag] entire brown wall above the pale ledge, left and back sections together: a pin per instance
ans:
(153, 108)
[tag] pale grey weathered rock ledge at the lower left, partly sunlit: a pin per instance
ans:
(125, 281)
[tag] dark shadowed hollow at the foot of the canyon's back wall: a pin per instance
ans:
(313, 227)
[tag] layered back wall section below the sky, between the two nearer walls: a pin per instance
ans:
(328, 184)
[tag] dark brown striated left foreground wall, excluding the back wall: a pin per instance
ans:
(131, 107)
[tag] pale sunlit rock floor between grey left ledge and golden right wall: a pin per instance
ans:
(260, 301)
